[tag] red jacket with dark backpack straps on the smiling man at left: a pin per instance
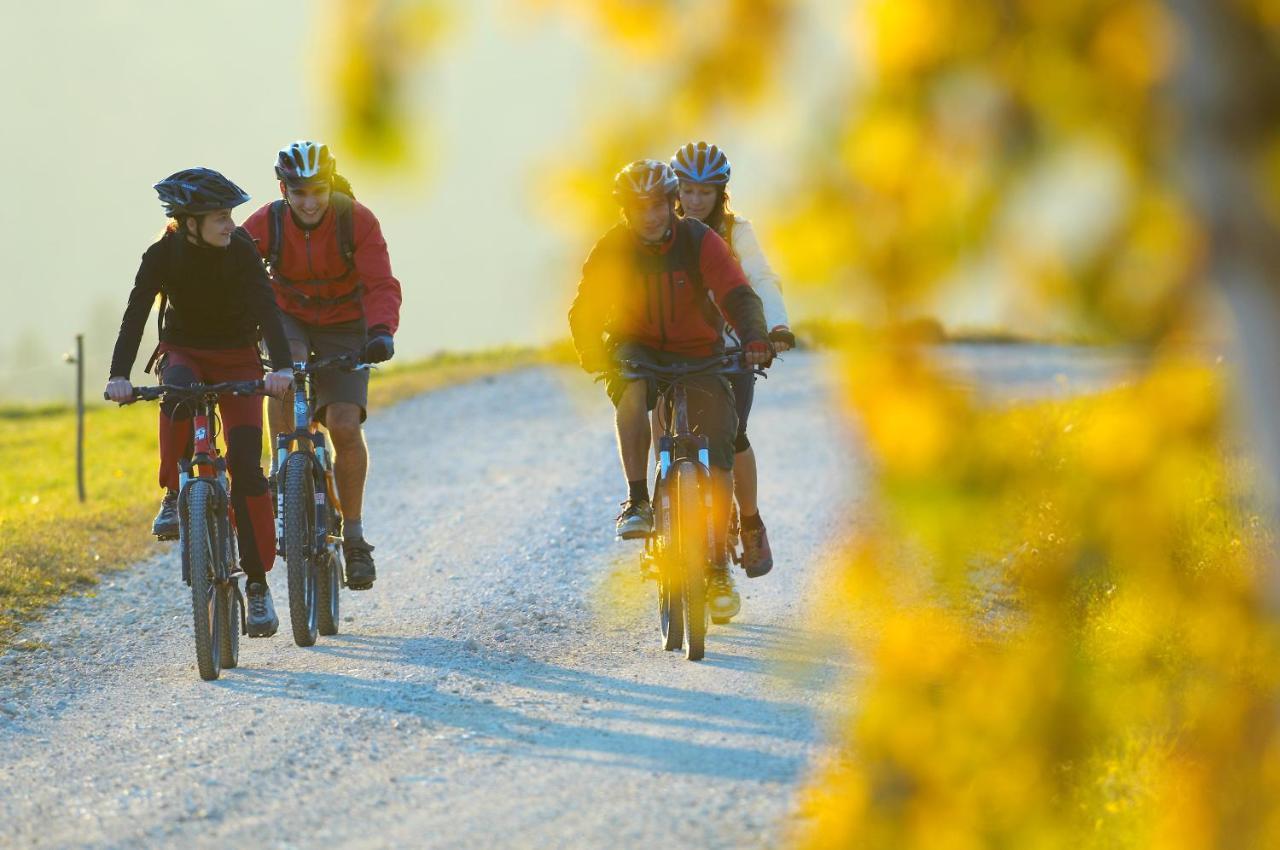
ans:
(313, 262)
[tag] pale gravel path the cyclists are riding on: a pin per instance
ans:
(502, 686)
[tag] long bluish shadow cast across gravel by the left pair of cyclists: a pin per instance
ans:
(554, 712)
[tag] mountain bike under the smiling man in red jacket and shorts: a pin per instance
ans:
(308, 511)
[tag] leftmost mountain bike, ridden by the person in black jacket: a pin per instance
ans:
(207, 532)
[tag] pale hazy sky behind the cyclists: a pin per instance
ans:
(103, 99)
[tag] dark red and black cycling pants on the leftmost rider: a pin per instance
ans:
(243, 436)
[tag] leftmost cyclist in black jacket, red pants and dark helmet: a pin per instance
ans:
(216, 299)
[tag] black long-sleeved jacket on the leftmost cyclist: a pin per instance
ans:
(218, 299)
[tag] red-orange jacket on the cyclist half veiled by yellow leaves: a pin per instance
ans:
(657, 296)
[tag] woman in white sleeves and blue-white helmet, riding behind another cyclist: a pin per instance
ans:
(703, 171)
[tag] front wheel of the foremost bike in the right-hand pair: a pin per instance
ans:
(689, 532)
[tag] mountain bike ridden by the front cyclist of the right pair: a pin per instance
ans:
(684, 543)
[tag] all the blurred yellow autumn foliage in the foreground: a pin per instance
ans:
(1063, 604)
